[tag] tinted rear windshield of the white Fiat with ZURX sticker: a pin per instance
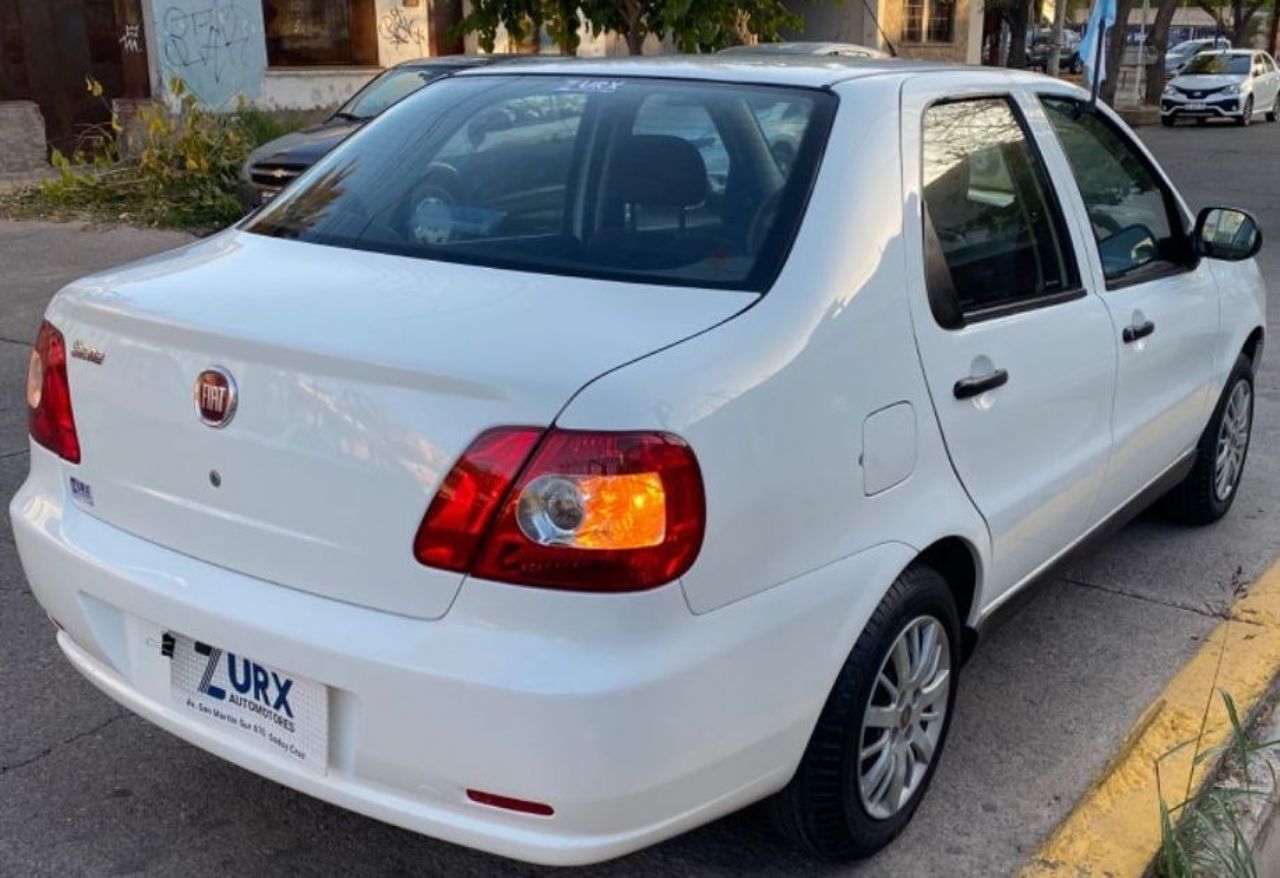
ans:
(683, 184)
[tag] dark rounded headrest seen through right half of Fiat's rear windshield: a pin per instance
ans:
(659, 171)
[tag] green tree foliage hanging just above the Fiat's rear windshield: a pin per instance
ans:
(693, 25)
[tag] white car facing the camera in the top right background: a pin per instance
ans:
(1235, 85)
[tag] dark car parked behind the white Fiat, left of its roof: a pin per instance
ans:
(273, 166)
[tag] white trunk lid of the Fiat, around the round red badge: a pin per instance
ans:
(362, 378)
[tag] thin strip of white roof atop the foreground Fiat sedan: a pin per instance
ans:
(764, 68)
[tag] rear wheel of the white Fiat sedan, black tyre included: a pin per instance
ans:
(883, 729)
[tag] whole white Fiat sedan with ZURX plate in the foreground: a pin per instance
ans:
(513, 482)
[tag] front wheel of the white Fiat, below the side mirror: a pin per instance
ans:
(1210, 490)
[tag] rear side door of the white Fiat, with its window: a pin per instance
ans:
(1017, 354)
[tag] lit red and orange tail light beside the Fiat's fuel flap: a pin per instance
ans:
(569, 510)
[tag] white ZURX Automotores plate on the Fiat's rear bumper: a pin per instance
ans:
(282, 712)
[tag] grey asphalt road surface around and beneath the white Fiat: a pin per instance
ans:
(86, 789)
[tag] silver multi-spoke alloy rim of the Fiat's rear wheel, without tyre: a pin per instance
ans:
(904, 717)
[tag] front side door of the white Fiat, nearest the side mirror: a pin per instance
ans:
(1163, 300)
